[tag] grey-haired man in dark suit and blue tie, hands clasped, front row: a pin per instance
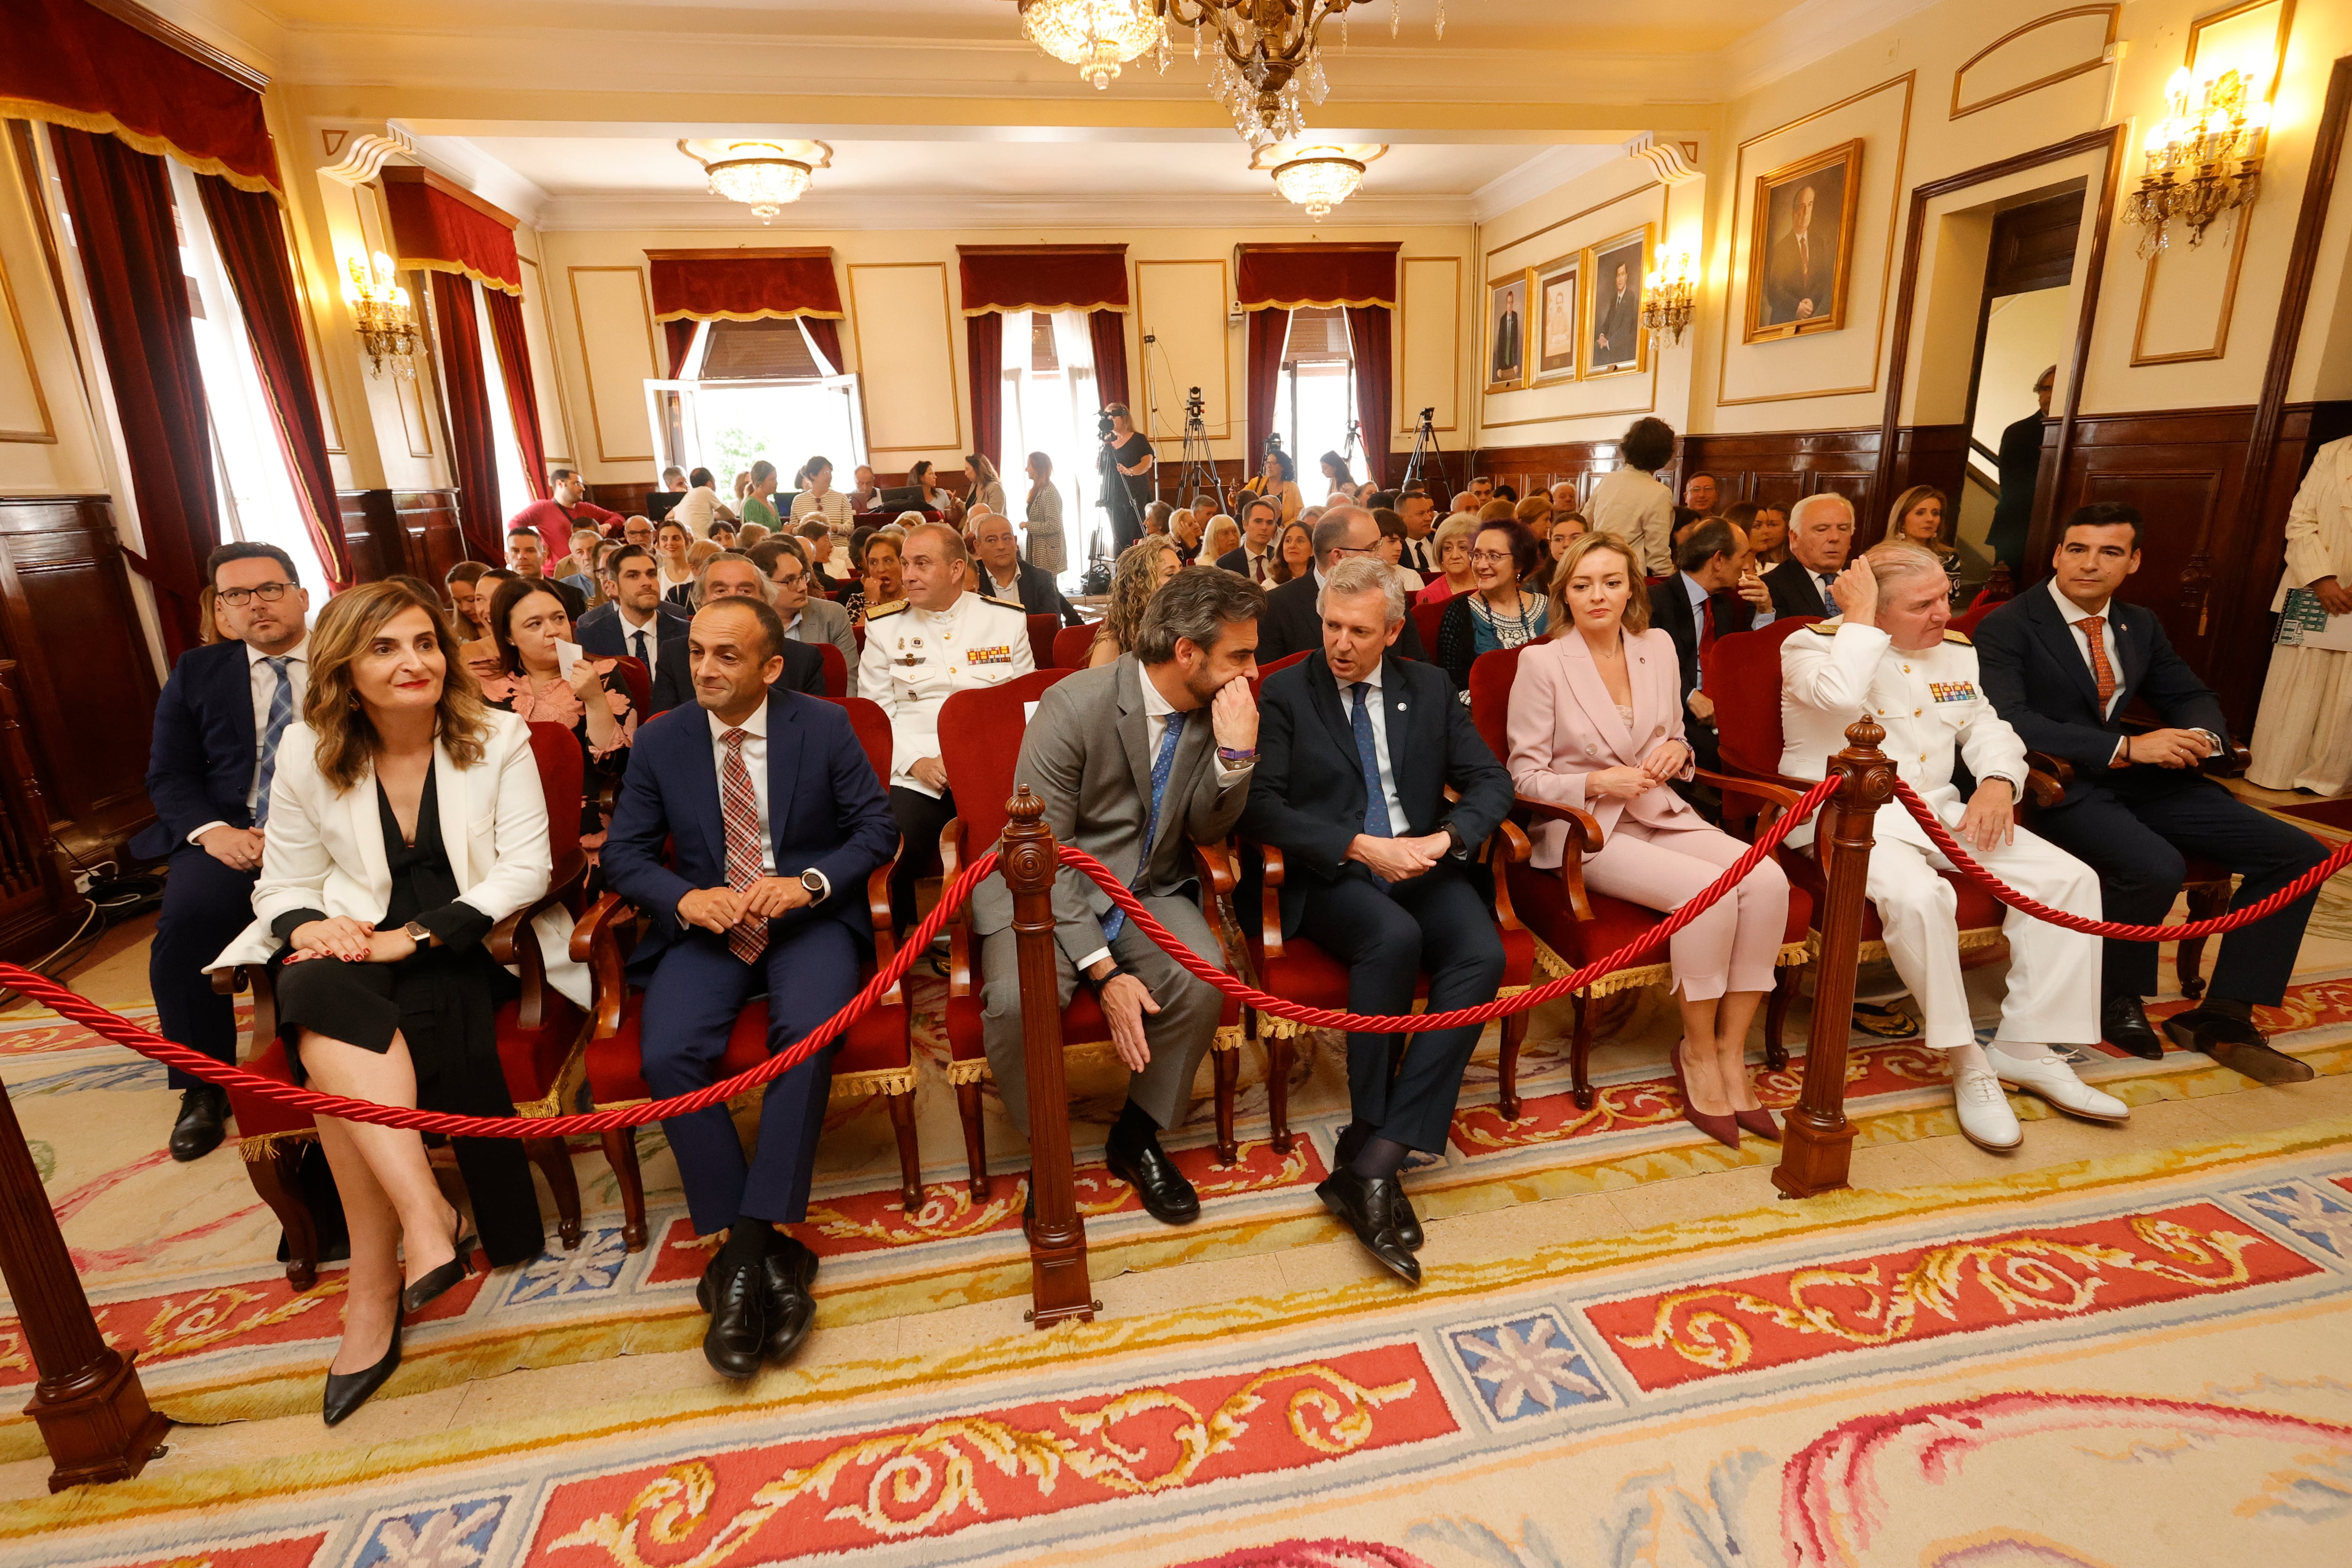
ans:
(1356, 751)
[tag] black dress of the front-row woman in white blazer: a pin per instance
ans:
(443, 1000)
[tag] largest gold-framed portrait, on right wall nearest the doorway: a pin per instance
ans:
(1800, 241)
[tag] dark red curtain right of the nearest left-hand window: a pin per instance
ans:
(255, 255)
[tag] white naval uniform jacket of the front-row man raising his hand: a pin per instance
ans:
(1932, 709)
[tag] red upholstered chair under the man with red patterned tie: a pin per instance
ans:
(874, 1059)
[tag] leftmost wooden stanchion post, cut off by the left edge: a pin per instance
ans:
(88, 1402)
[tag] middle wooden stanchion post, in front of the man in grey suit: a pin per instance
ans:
(1029, 862)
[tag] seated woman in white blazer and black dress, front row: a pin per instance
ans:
(406, 822)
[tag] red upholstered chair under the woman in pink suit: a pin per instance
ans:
(1575, 927)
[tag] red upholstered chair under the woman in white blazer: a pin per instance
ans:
(540, 1038)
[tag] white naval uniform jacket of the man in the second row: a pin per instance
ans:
(916, 659)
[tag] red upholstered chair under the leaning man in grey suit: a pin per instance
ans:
(980, 744)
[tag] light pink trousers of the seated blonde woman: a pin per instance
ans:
(1735, 944)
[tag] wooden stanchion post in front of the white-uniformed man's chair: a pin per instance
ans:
(1817, 1137)
